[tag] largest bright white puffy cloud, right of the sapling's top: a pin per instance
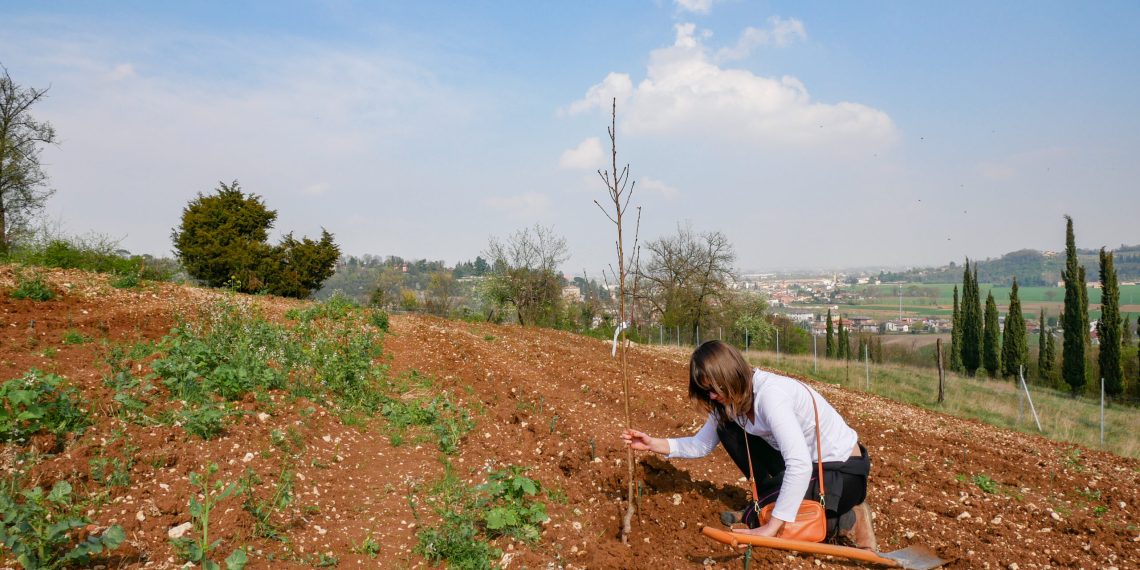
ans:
(687, 94)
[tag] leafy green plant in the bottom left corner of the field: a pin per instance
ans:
(42, 530)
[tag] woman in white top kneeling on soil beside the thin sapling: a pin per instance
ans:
(777, 417)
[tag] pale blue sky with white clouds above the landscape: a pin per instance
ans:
(813, 135)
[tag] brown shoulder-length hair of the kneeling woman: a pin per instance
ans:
(721, 369)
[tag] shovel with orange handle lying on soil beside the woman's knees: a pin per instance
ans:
(913, 558)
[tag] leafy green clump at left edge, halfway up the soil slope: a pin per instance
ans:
(39, 403)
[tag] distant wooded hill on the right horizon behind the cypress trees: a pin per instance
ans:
(1031, 267)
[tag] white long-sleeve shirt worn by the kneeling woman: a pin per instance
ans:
(785, 419)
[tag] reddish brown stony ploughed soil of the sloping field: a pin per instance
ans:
(550, 401)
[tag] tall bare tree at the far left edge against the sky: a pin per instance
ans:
(23, 184)
